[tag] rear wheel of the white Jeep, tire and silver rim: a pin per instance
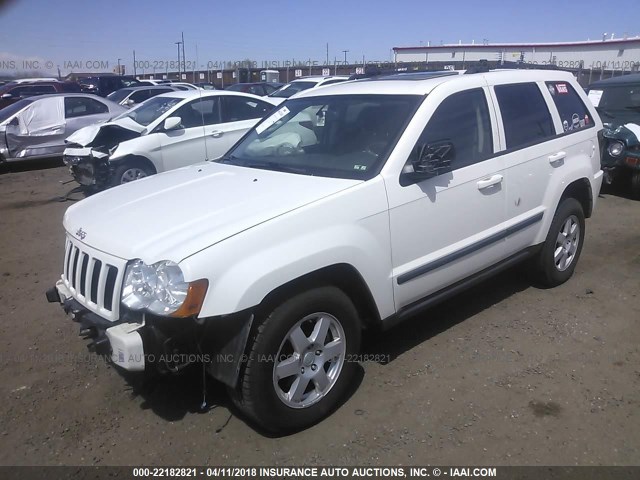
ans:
(546, 270)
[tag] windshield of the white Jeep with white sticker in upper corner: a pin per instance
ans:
(344, 136)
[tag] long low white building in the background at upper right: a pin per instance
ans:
(611, 54)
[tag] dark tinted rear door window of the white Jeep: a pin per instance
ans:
(525, 115)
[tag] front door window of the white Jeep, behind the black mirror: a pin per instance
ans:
(462, 119)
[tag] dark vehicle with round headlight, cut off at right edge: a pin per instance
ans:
(617, 100)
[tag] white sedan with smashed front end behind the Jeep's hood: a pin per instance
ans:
(163, 133)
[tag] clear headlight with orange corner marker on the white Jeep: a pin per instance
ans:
(160, 289)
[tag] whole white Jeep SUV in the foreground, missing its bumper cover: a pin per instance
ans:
(351, 206)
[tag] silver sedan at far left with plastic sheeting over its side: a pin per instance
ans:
(37, 127)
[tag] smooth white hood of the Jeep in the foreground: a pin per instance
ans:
(175, 214)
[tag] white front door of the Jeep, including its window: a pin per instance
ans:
(449, 226)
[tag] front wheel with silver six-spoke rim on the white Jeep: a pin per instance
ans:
(298, 367)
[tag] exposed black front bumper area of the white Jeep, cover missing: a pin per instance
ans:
(138, 342)
